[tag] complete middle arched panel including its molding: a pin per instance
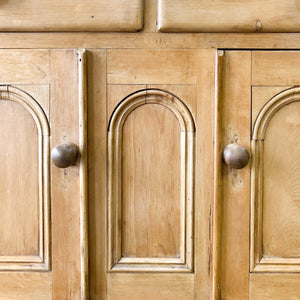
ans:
(150, 182)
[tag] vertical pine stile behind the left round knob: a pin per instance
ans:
(65, 182)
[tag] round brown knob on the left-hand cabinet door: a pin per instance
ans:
(64, 155)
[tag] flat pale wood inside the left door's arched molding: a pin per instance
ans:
(19, 173)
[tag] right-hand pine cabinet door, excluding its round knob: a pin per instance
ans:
(260, 240)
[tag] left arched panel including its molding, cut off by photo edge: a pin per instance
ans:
(24, 206)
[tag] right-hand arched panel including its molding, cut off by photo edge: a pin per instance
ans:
(275, 179)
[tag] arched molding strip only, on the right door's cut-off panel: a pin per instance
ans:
(258, 261)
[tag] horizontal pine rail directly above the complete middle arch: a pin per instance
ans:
(138, 66)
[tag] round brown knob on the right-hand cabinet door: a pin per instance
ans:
(235, 156)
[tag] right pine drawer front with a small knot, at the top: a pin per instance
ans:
(228, 16)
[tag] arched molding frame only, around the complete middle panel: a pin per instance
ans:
(183, 262)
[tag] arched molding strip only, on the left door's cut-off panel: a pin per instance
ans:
(42, 260)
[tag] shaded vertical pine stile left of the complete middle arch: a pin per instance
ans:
(97, 136)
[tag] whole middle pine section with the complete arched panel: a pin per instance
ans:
(149, 201)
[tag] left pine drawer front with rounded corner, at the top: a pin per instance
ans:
(67, 15)
